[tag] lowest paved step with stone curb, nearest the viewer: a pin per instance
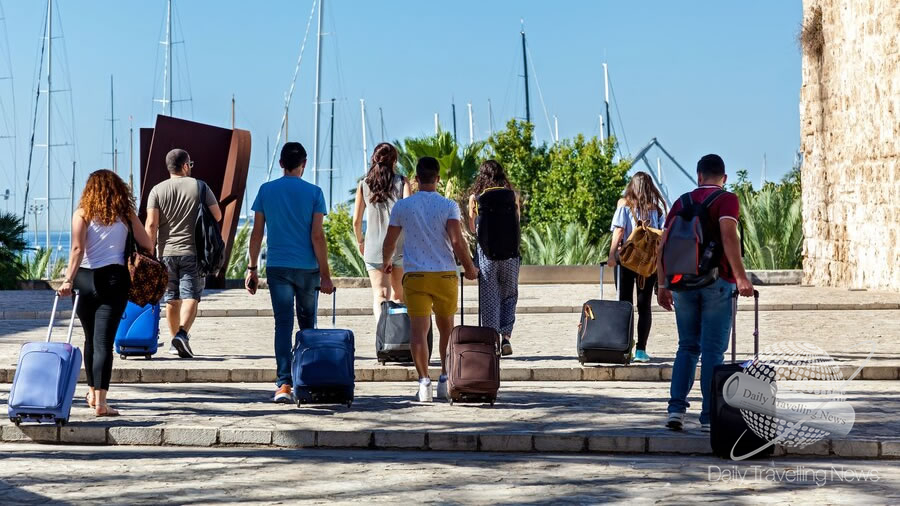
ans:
(538, 417)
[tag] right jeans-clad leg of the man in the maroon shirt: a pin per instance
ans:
(716, 325)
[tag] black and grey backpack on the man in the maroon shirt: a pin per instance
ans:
(693, 246)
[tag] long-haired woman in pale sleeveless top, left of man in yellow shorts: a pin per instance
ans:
(376, 195)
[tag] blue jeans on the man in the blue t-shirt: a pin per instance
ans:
(286, 285)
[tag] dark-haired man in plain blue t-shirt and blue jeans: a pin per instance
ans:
(297, 260)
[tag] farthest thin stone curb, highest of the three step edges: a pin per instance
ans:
(360, 311)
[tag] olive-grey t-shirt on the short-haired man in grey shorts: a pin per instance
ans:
(177, 200)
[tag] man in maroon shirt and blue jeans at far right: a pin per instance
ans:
(703, 316)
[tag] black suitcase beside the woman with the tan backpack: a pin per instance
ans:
(606, 331)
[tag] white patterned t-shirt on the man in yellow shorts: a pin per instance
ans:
(423, 218)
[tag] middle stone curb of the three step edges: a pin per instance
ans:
(648, 373)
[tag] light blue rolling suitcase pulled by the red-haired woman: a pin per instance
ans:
(44, 384)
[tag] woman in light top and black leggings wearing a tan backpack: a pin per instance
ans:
(642, 202)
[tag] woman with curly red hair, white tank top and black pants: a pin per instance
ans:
(100, 228)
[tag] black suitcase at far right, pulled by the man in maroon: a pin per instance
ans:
(726, 422)
